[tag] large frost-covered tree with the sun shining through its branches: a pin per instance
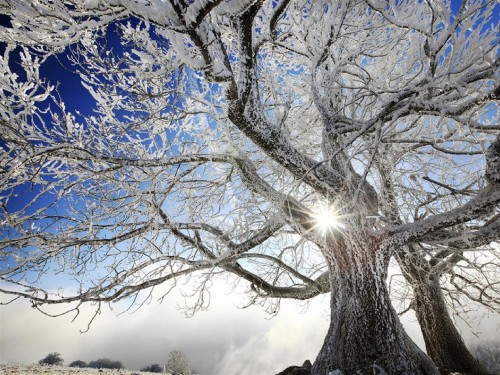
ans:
(296, 145)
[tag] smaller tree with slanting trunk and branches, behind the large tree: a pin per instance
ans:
(424, 266)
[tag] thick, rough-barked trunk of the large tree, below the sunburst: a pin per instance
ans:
(365, 334)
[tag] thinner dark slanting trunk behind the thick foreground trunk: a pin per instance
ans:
(443, 342)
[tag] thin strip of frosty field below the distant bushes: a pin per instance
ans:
(62, 370)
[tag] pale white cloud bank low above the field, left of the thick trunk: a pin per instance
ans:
(222, 340)
